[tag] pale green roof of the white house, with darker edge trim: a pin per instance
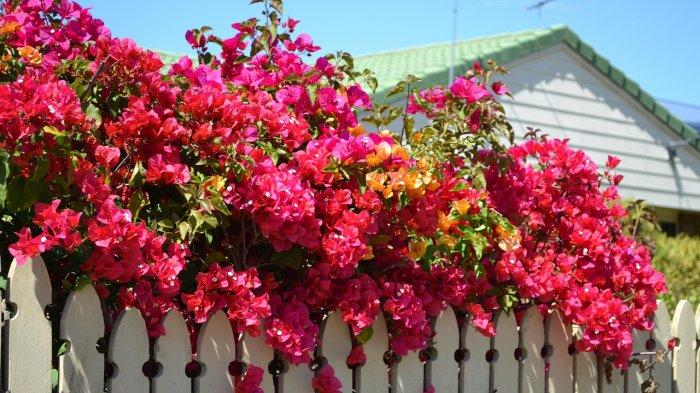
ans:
(431, 63)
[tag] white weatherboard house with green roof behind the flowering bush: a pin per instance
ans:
(562, 86)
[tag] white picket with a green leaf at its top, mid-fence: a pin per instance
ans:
(374, 375)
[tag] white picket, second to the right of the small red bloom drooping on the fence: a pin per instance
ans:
(532, 341)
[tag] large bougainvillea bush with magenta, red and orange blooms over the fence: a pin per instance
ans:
(246, 181)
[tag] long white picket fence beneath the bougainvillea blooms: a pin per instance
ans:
(462, 360)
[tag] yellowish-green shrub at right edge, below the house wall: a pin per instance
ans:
(678, 258)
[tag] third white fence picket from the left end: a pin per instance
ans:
(128, 350)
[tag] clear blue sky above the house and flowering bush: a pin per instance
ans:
(655, 43)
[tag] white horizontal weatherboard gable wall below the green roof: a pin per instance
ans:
(565, 97)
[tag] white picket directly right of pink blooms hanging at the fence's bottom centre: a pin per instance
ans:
(336, 346)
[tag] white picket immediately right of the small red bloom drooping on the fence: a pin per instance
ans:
(504, 368)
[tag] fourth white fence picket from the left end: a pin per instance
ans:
(173, 351)
